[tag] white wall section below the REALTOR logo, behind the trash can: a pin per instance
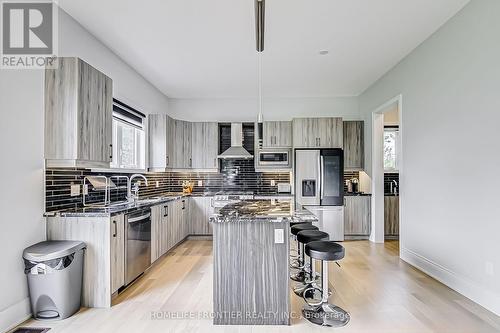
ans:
(22, 192)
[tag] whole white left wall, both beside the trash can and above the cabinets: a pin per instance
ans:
(21, 139)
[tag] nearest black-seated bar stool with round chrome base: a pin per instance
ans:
(323, 313)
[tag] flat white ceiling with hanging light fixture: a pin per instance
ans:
(206, 49)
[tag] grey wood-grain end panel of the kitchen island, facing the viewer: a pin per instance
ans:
(251, 274)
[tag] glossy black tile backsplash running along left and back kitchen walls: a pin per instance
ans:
(235, 175)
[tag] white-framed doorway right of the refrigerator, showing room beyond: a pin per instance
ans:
(387, 166)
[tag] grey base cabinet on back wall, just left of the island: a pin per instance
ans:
(200, 210)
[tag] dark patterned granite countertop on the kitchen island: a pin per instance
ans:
(261, 210)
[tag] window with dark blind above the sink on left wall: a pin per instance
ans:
(129, 147)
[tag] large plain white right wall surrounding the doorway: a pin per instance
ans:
(450, 117)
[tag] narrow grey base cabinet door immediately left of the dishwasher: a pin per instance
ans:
(117, 252)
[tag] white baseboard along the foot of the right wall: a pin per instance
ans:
(478, 294)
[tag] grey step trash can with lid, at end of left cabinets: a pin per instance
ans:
(55, 272)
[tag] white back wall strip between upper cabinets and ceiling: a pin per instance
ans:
(273, 108)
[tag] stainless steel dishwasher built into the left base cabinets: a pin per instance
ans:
(137, 243)
